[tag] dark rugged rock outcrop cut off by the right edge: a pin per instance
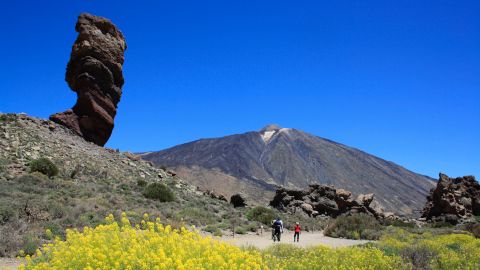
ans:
(453, 200)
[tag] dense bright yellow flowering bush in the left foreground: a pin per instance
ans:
(149, 245)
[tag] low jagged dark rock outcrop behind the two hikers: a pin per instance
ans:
(326, 200)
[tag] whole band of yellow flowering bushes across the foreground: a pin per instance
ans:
(151, 245)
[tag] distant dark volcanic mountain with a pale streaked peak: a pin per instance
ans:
(255, 162)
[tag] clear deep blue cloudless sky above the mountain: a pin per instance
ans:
(397, 79)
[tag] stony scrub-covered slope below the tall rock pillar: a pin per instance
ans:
(92, 182)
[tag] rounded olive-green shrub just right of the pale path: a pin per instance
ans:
(357, 226)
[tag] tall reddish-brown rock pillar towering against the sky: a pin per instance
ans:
(94, 72)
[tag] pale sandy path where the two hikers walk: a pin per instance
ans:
(306, 239)
